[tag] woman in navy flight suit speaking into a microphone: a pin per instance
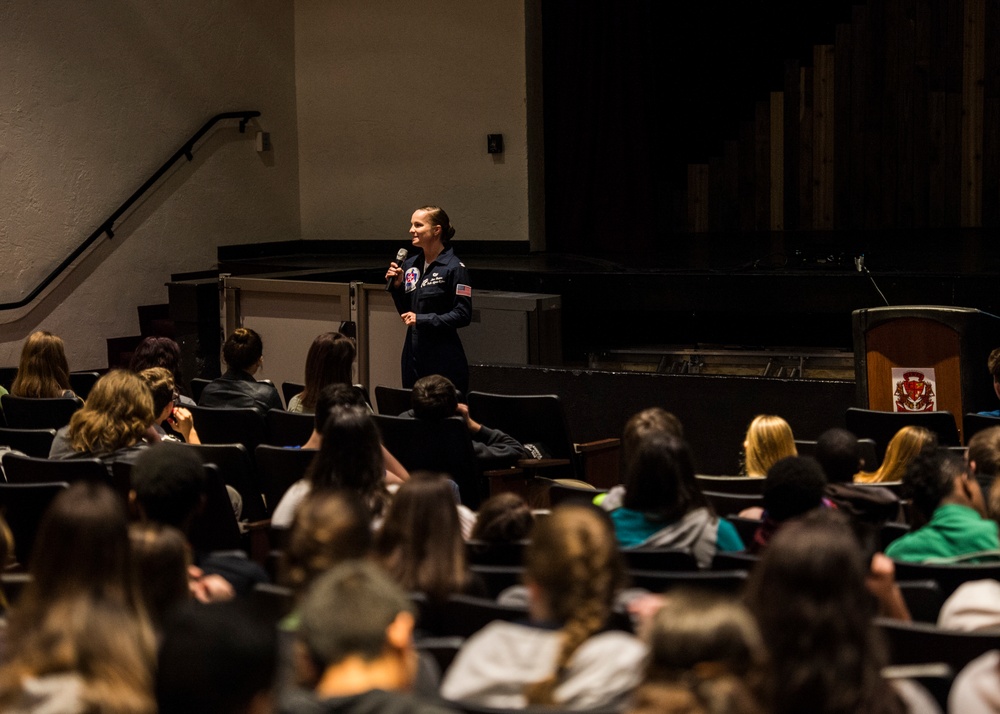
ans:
(433, 296)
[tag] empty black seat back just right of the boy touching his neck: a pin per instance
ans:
(536, 419)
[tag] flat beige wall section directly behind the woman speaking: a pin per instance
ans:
(395, 99)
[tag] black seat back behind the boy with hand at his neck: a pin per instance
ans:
(444, 446)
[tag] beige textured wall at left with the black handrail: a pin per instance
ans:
(94, 96)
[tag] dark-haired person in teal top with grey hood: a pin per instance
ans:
(662, 505)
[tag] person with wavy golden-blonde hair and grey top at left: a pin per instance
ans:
(112, 425)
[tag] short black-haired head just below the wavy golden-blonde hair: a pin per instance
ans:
(168, 481)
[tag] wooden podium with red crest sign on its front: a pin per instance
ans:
(954, 342)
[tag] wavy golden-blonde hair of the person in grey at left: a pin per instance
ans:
(117, 413)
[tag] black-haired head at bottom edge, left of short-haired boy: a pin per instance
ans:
(215, 659)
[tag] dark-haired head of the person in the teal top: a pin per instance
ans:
(660, 480)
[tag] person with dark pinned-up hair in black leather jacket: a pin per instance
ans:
(243, 353)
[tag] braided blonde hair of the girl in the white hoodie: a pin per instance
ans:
(573, 558)
